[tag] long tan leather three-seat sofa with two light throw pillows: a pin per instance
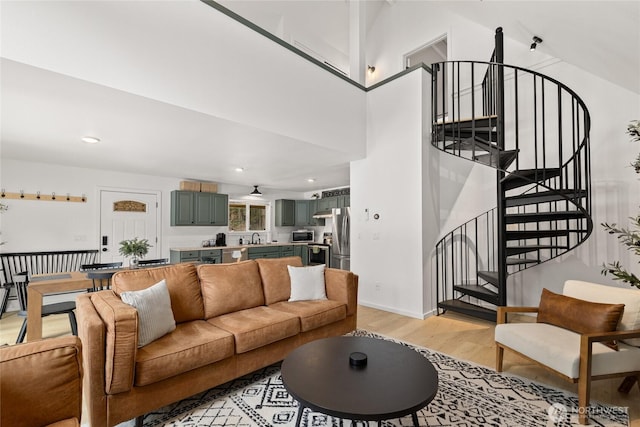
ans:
(231, 319)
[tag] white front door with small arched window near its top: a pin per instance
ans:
(125, 215)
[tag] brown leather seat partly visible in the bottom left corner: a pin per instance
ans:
(41, 383)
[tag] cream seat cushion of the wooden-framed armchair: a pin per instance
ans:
(559, 349)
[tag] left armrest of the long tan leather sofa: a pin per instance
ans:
(121, 340)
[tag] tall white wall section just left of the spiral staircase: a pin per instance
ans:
(388, 253)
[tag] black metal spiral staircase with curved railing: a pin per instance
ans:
(534, 131)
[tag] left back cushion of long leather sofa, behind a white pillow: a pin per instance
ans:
(182, 282)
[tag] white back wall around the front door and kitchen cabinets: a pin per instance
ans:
(44, 225)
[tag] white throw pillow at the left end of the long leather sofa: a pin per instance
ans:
(155, 317)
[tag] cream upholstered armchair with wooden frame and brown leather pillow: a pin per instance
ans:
(582, 335)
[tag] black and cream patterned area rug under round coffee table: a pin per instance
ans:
(468, 395)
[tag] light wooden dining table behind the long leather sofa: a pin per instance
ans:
(47, 284)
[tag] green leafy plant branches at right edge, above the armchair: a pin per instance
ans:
(629, 237)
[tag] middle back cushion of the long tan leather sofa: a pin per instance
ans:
(230, 287)
